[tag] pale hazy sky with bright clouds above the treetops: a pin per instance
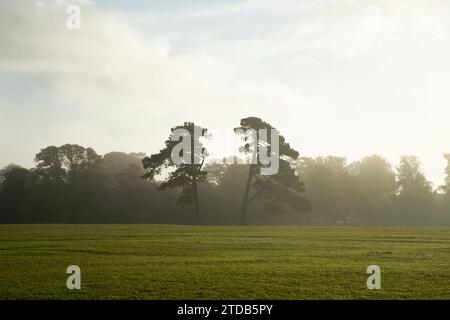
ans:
(336, 77)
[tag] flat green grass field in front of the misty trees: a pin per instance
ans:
(184, 262)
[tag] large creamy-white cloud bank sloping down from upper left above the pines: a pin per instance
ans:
(117, 89)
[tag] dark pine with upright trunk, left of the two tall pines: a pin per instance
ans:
(185, 176)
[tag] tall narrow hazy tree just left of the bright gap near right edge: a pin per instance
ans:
(415, 198)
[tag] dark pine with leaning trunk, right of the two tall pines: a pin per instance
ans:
(275, 191)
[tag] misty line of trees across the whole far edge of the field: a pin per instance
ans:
(74, 184)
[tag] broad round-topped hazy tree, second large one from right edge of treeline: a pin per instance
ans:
(376, 188)
